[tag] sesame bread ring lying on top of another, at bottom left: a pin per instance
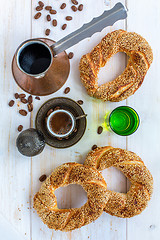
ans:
(90, 179)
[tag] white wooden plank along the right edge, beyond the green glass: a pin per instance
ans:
(144, 19)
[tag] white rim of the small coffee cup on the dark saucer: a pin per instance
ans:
(73, 123)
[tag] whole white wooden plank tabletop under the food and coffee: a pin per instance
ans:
(19, 175)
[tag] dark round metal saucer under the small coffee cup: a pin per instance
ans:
(67, 104)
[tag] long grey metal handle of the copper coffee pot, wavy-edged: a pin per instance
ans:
(108, 18)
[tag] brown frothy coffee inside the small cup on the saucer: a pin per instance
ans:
(60, 123)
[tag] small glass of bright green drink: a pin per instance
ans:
(124, 120)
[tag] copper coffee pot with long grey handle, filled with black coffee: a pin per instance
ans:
(41, 66)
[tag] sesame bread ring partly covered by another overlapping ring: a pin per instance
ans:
(136, 199)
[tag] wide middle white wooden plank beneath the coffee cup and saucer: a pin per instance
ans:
(106, 227)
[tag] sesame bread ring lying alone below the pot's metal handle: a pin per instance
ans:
(140, 58)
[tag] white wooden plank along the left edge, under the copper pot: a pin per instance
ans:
(15, 169)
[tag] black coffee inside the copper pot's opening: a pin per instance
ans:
(35, 58)
